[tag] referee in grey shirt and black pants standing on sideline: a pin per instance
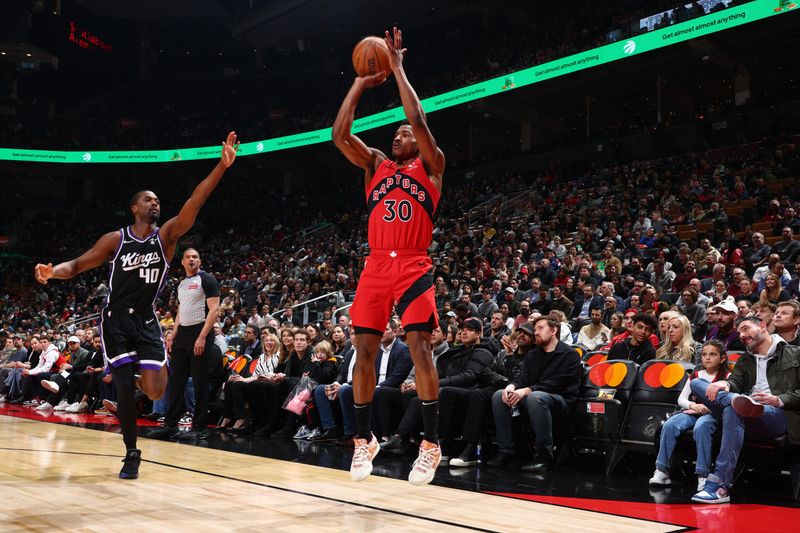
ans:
(192, 342)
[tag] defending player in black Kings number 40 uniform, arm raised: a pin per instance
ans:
(139, 256)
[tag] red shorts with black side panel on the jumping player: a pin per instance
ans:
(403, 278)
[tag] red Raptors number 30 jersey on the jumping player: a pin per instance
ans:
(401, 202)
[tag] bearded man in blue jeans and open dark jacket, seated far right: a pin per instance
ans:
(766, 372)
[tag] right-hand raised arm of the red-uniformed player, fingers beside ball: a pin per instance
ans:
(431, 154)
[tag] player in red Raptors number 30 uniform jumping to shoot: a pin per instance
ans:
(402, 195)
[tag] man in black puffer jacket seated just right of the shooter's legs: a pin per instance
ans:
(459, 368)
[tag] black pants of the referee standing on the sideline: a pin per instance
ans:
(182, 362)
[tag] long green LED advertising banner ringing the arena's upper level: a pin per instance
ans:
(707, 24)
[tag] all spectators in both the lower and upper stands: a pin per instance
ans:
(692, 259)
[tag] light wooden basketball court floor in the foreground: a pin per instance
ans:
(62, 478)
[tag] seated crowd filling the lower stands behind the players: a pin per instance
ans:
(646, 261)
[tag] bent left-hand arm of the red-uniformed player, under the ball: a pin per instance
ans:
(351, 146)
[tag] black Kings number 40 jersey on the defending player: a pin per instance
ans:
(138, 271)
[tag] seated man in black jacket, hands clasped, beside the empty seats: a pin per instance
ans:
(546, 388)
